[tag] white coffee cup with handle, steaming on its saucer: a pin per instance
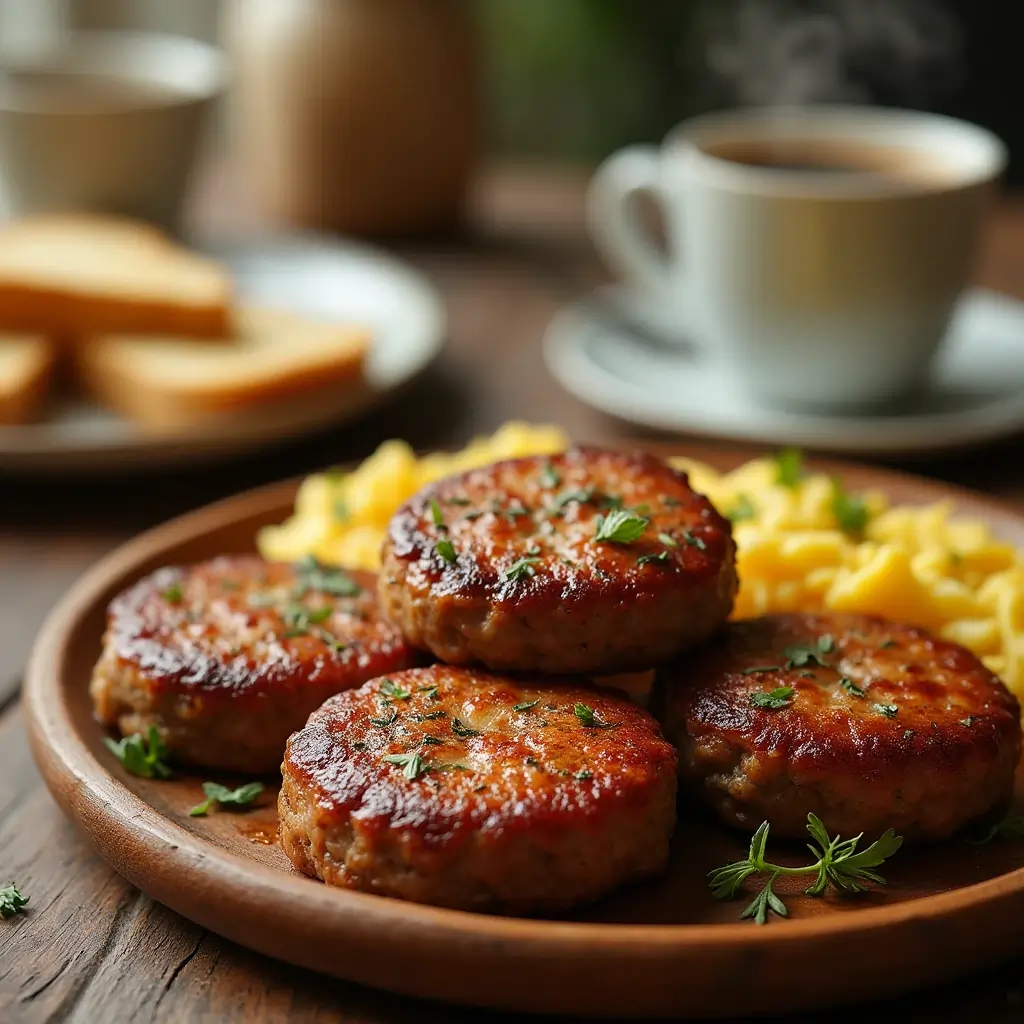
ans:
(820, 251)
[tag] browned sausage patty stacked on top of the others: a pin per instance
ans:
(538, 565)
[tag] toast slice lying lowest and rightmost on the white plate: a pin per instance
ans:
(172, 383)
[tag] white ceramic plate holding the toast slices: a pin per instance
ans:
(323, 278)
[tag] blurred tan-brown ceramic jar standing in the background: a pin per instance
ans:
(356, 116)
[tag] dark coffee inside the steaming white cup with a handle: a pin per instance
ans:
(829, 158)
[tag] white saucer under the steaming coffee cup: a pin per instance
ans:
(611, 352)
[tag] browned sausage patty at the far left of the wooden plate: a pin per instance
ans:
(229, 658)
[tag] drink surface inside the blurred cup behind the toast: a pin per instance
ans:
(53, 90)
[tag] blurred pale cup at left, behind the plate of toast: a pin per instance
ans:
(105, 122)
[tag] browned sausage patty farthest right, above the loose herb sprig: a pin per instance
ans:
(885, 728)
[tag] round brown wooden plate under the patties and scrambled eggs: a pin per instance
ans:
(663, 949)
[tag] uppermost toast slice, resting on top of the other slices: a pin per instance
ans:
(73, 276)
